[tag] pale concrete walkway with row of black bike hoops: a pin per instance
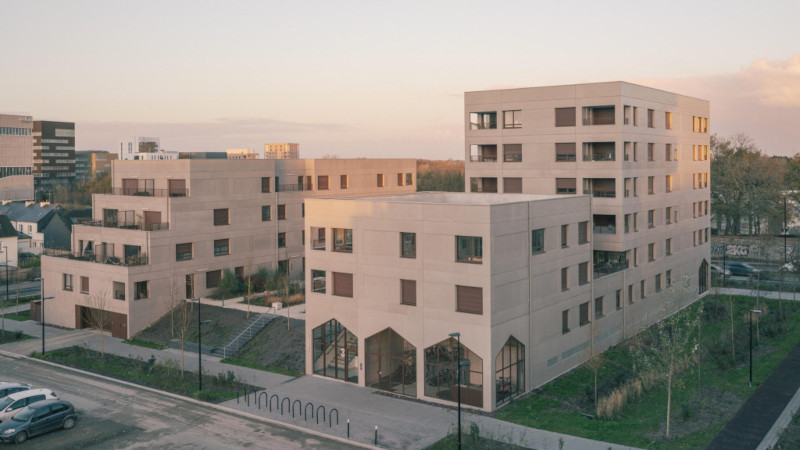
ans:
(402, 423)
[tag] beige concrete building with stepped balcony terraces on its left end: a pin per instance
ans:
(169, 229)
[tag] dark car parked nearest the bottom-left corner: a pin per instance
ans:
(38, 418)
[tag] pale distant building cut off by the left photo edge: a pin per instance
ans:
(16, 157)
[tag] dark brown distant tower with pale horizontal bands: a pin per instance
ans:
(54, 156)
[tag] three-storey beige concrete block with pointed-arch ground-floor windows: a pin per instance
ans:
(395, 275)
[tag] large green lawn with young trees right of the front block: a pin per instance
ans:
(696, 414)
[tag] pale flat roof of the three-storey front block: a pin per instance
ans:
(454, 198)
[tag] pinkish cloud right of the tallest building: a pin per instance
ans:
(762, 100)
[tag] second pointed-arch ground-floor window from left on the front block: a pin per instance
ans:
(391, 363)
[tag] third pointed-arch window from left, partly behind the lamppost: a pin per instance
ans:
(441, 381)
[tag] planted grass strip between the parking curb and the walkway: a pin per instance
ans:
(164, 376)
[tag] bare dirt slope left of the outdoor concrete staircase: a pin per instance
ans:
(224, 324)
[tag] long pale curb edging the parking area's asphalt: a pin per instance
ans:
(195, 401)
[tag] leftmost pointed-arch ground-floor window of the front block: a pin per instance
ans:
(335, 352)
